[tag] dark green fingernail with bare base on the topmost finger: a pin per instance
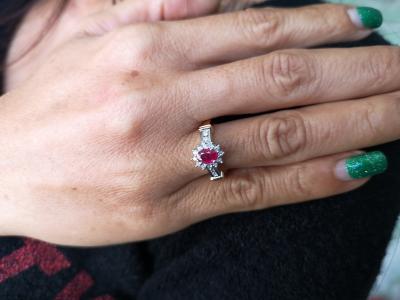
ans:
(366, 17)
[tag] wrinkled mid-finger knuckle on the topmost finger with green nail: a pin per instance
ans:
(260, 28)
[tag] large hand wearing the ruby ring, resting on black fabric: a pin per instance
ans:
(97, 144)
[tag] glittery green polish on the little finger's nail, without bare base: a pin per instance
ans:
(366, 165)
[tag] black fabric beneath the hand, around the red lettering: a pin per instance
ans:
(329, 249)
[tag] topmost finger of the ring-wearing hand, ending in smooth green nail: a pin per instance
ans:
(232, 36)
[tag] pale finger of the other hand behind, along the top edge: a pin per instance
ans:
(134, 11)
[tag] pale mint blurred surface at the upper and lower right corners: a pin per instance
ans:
(387, 285)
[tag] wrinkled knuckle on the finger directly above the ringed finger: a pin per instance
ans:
(287, 74)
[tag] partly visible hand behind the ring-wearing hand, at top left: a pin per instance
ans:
(35, 40)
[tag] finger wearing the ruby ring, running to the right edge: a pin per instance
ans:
(297, 135)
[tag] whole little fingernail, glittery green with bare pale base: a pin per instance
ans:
(361, 166)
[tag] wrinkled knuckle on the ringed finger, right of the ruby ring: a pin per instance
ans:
(281, 136)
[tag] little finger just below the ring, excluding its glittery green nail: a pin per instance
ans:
(260, 188)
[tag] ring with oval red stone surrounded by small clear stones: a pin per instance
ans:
(207, 155)
